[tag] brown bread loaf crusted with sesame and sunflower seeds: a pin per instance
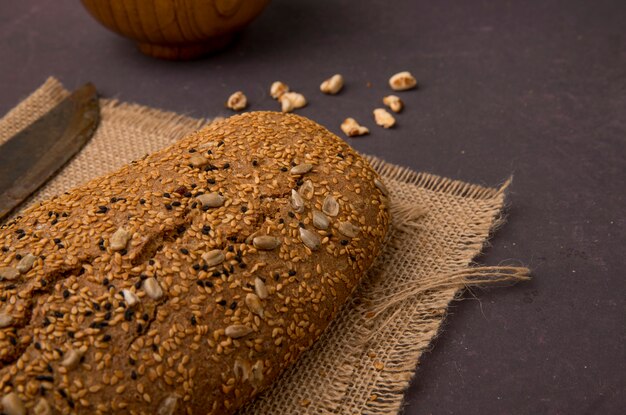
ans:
(185, 282)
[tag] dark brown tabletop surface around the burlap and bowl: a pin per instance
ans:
(536, 89)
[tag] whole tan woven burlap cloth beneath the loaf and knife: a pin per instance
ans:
(365, 359)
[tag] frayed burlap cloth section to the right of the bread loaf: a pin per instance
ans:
(364, 361)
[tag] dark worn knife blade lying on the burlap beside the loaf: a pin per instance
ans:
(32, 156)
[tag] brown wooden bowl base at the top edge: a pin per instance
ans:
(176, 29)
